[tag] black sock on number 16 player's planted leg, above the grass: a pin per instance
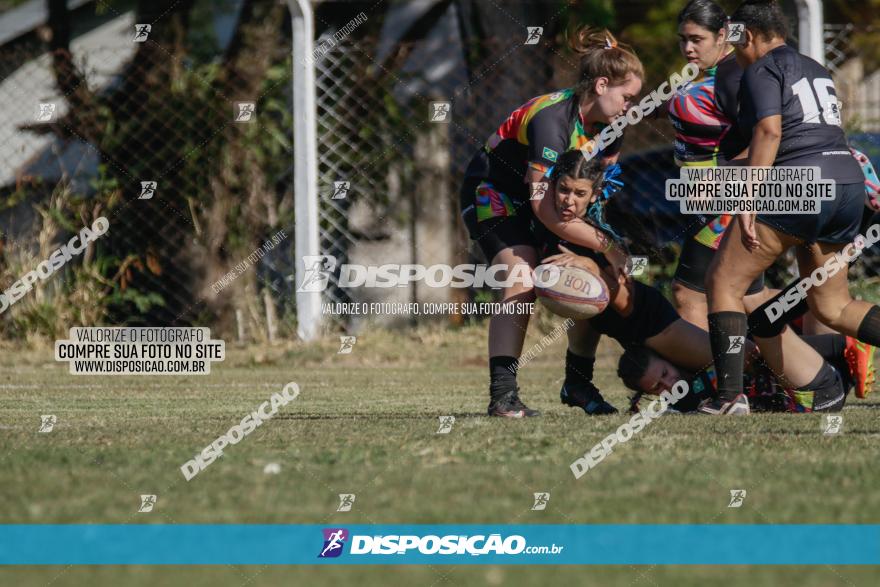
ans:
(728, 365)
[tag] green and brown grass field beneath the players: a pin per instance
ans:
(366, 423)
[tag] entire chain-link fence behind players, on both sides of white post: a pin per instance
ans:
(197, 245)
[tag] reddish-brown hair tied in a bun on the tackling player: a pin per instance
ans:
(602, 56)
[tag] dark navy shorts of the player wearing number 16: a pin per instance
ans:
(837, 223)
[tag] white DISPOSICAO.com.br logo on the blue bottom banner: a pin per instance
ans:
(334, 541)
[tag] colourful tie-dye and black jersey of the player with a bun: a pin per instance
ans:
(532, 137)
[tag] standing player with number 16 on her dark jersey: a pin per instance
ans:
(788, 102)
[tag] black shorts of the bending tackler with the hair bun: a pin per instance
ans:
(497, 233)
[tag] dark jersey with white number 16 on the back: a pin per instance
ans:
(784, 82)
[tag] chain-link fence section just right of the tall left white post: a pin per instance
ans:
(401, 171)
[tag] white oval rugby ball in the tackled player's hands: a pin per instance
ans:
(578, 293)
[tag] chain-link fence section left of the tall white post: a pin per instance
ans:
(188, 161)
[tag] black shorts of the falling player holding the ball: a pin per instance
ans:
(651, 315)
